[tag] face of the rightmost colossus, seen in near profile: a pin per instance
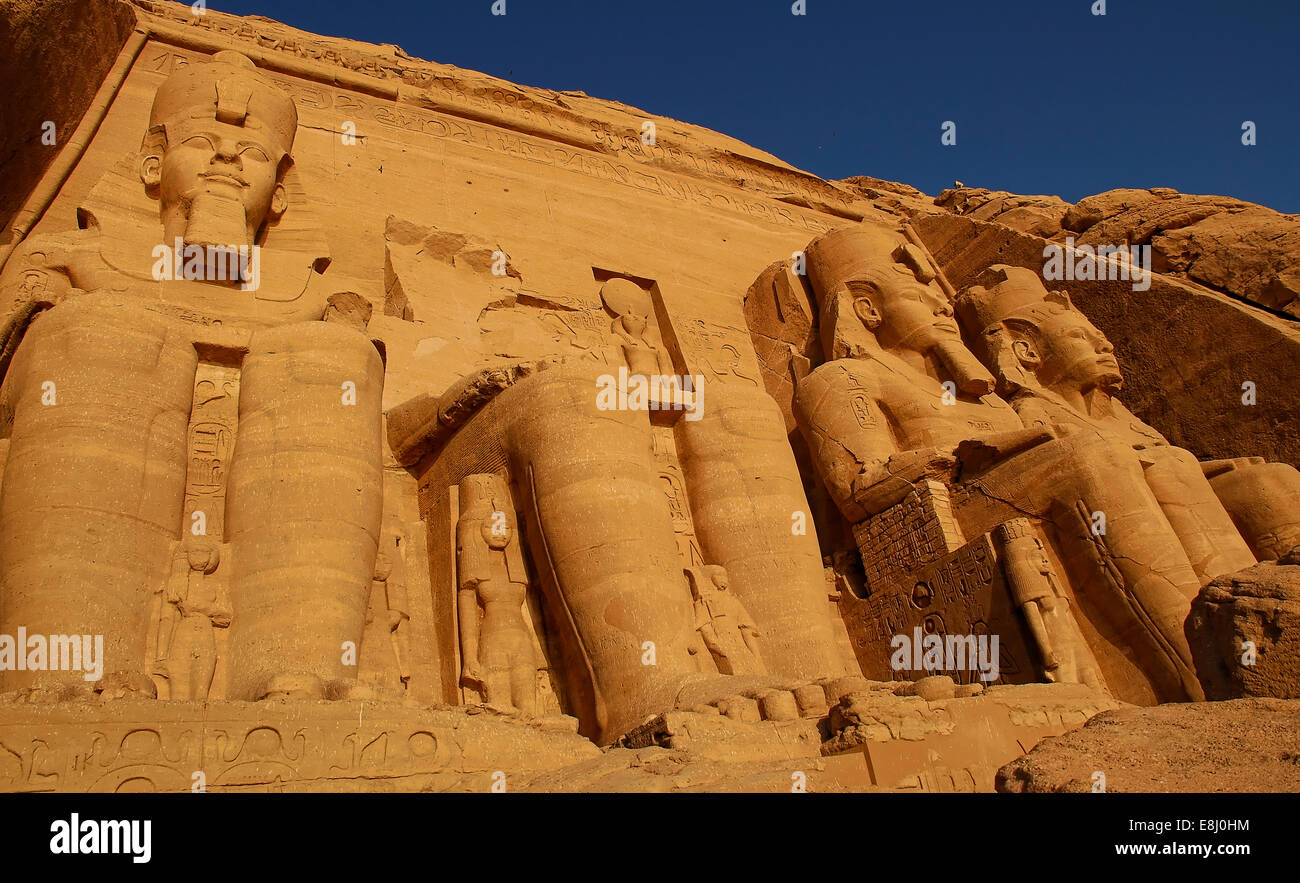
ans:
(1071, 350)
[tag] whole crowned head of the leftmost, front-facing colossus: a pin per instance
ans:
(216, 152)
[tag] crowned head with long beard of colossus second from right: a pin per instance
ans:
(870, 279)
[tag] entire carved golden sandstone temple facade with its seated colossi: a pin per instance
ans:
(385, 426)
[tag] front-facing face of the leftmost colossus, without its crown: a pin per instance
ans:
(218, 165)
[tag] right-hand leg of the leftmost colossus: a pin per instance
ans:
(304, 509)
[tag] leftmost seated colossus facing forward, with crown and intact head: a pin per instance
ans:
(119, 441)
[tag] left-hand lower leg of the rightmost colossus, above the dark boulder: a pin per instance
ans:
(1211, 540)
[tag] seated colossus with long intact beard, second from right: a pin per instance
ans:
(903, 406)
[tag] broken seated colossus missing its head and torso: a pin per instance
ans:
(601, 523)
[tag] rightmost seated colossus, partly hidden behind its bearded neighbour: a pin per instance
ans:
(1058, 370)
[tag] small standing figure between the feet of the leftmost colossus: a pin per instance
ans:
(194, 604)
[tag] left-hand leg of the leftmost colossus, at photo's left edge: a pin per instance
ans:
(96, 482)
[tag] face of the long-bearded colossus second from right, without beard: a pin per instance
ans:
(902, 311)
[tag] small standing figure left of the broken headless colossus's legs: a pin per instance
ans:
(497, 644)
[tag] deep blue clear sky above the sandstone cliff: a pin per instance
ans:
(1047, 98)
